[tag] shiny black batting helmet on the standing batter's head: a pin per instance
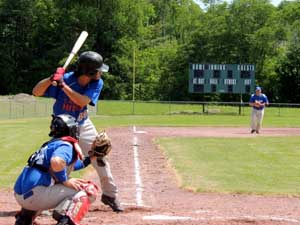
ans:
(90, 62)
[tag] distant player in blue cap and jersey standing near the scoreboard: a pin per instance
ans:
(258, 101)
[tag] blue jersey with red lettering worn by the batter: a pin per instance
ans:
(64, 104)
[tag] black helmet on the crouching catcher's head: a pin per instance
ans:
(64, 125)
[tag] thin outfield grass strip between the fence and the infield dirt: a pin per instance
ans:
(192, 120)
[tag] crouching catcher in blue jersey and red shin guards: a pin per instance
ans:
(45, 184)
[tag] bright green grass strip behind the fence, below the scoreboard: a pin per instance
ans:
(174, 108)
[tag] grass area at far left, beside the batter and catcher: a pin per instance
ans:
(19, 138)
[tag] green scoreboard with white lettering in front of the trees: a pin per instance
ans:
(221, 78)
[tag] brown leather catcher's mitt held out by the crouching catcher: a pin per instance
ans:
(101, 147)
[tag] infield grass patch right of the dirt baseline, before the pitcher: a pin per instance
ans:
(265, 165)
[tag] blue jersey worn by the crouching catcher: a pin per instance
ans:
(33, 176)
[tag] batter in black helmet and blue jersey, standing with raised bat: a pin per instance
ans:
(73, 92)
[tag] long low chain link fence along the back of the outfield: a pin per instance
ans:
(13, 107)
